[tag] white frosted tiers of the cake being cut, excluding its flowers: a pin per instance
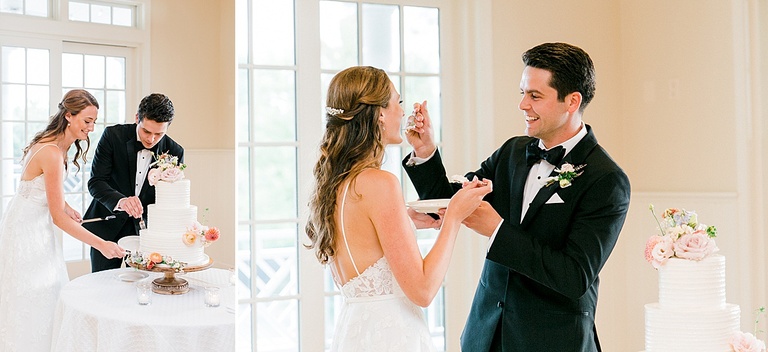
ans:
(168, 220)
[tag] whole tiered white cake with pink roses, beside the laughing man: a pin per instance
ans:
(692, 313)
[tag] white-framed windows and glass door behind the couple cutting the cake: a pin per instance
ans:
(34, 75)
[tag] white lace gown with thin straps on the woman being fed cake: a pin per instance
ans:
(376, 315)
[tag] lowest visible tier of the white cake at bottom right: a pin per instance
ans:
(684, 330)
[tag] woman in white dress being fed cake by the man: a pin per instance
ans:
(360, 227)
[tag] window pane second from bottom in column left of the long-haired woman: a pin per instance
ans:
(276, 260)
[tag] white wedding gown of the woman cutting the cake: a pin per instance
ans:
(32, 269)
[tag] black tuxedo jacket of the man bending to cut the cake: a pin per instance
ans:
(113, 177)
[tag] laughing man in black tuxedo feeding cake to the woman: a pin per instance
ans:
(548, 240)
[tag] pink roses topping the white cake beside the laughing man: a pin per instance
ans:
(682, 236)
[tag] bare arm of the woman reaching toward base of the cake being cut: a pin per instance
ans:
(51, 163)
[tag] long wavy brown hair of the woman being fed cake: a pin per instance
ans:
(351, 143)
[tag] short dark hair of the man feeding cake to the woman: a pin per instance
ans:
(571, 67)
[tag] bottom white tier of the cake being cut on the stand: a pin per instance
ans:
(171, 244)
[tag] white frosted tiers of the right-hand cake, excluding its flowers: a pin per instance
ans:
(692, 314)
